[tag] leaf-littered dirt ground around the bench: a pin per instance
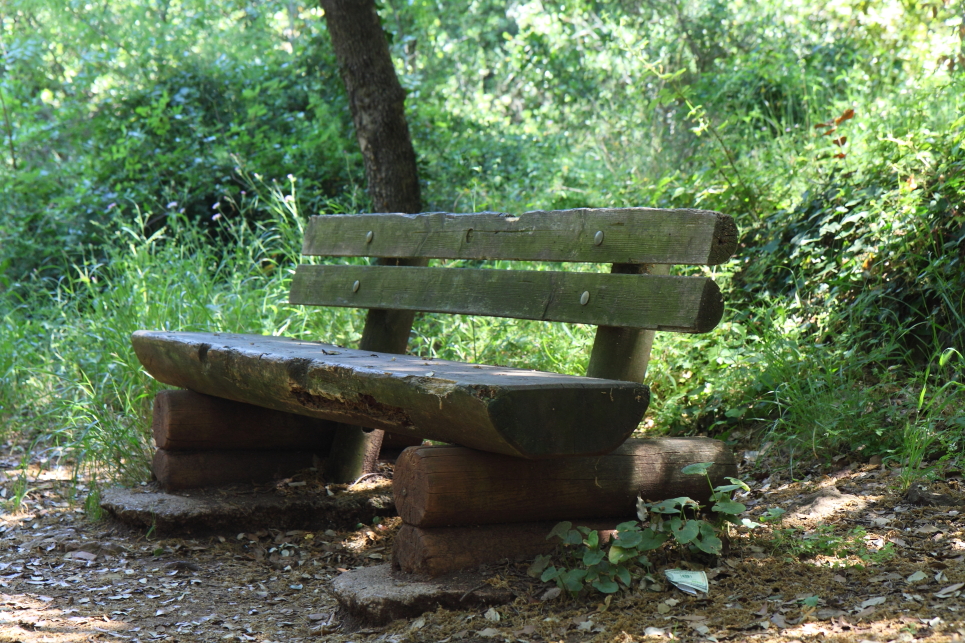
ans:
(881, 565)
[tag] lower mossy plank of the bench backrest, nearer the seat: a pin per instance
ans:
(682, 304)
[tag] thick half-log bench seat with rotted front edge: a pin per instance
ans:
(517, 412)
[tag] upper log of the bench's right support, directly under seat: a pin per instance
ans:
(442, 486)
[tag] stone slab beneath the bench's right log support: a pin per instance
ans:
(376, 595)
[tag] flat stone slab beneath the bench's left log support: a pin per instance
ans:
(246, 507)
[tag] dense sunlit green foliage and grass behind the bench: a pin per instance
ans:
(139, 145)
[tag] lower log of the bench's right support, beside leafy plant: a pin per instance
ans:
(440, 550)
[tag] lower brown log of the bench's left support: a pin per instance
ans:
(191, 469)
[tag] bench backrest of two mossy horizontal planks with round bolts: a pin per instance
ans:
(633, 240)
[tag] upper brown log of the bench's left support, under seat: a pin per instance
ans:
(185, 420)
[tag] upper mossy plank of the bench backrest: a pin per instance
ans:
(629, 235)
